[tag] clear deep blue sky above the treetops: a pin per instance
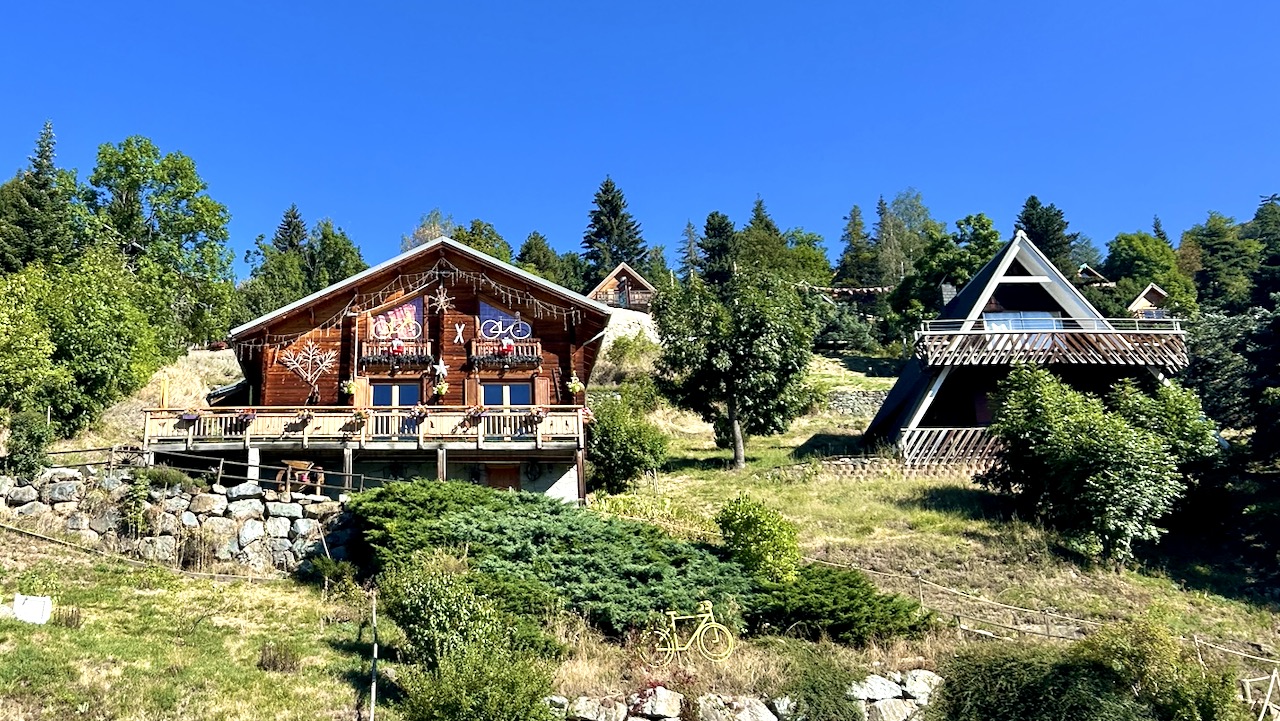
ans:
(376, 113)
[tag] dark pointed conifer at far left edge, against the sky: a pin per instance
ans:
(36, 211)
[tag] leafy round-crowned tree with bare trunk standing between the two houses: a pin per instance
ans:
(738, 358)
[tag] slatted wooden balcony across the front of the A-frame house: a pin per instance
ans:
(1118, 341)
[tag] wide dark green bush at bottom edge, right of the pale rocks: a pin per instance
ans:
(1128, 672)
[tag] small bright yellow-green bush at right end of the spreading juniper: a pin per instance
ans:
(760, 539)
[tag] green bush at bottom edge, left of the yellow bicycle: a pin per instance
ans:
(478, 685)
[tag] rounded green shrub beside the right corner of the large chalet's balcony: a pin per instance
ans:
(621, 446)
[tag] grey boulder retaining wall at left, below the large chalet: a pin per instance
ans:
(191, 527)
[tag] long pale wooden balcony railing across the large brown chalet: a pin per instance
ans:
(493, 428)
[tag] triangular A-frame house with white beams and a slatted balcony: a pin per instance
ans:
(1018, 309)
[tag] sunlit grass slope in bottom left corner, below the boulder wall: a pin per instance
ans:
(159, 646)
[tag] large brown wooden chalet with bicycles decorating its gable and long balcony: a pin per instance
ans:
(441, 363)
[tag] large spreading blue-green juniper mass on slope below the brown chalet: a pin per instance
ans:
(615, 573)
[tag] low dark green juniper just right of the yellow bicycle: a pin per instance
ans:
(836, 604)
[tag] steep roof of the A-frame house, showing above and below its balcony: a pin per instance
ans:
(1032, 266)
